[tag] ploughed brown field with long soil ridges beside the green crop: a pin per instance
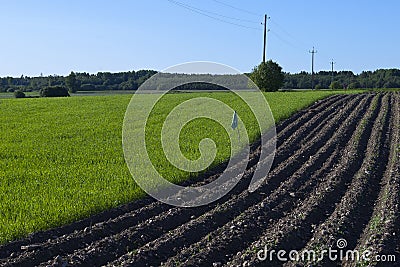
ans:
(335, 176)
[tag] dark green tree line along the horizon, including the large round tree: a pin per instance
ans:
(262, 75)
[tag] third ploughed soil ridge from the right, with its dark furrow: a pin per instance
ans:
(292, 231)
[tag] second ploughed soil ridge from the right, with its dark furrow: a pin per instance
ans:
(353, 211)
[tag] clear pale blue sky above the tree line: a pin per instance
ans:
(56, 37)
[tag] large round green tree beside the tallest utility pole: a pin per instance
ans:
(268, 76)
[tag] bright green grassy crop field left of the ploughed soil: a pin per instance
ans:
(61, 159)
